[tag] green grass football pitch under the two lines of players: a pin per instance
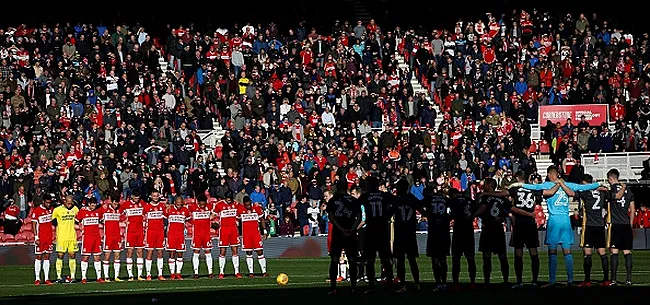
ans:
(307, 283)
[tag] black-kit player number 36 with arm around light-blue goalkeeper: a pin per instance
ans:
(524, 228)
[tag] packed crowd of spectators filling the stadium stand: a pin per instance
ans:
(91, 111)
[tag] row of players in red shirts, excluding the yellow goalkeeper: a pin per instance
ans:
(156, 227)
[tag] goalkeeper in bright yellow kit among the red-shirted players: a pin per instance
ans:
(64, 217)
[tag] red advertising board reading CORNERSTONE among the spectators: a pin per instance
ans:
(595, 114)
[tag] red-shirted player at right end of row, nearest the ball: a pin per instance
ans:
(252, 216)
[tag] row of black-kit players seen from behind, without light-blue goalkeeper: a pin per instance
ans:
(360, 223)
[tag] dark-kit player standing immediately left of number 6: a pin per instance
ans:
(462, 244)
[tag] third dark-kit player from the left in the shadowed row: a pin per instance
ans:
(405, 242)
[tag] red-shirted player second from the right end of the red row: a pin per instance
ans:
(228, 233)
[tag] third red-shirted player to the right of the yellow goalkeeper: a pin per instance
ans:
(133, 208)
